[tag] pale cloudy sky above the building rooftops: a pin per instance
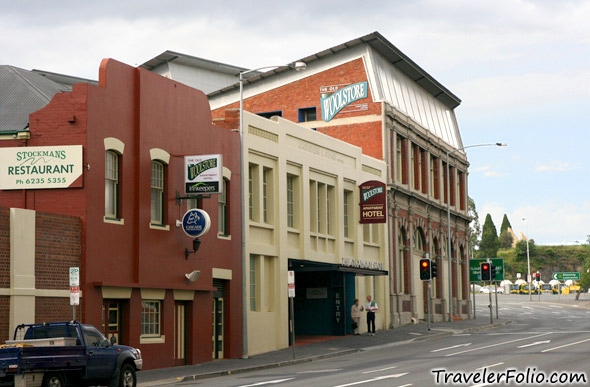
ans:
(520, 67)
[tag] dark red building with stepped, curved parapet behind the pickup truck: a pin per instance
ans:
(120, 220)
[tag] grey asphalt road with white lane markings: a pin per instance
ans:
(546, 344)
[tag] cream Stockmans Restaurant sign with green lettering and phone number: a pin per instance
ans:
(41, 167)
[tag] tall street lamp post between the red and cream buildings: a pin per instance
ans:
(243, 170)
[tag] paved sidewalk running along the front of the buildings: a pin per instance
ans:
(310, 351)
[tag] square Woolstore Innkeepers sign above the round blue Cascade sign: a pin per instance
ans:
(203, 174)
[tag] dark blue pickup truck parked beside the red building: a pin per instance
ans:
(66, 354)
